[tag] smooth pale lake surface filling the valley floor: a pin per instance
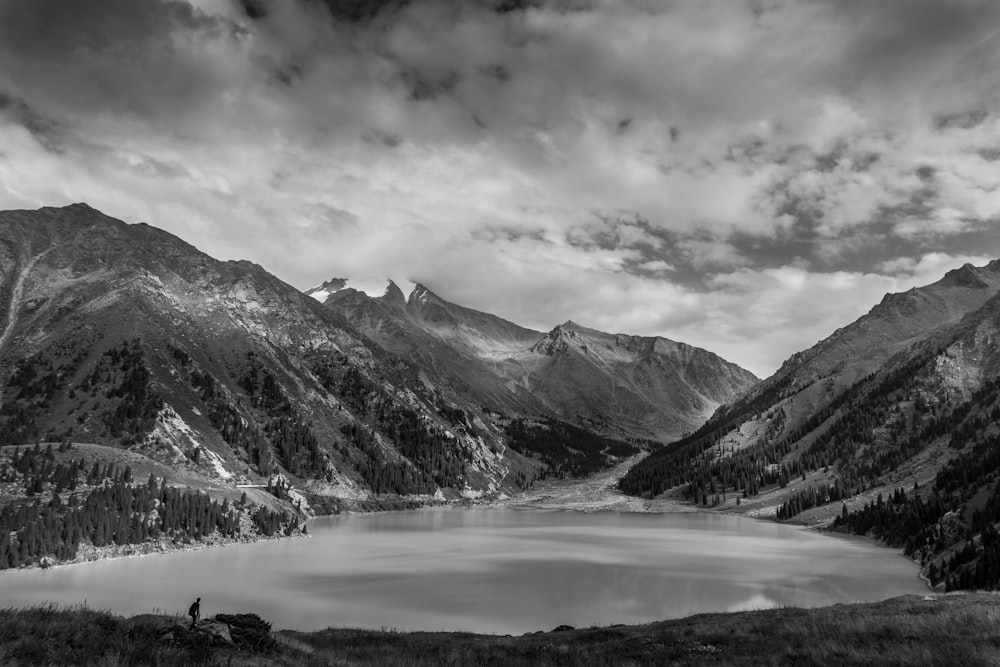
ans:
(496, 570)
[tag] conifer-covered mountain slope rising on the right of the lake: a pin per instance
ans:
(890, 427)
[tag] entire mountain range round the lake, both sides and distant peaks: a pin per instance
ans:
(128, 346)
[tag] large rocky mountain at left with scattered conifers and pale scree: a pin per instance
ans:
(125, 336)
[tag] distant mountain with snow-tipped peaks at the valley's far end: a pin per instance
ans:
(631, 386)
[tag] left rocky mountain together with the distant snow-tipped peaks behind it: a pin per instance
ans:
(127, 337)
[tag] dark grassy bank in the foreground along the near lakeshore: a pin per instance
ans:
(953, 629)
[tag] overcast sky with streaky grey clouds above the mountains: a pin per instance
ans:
(744, 176)
